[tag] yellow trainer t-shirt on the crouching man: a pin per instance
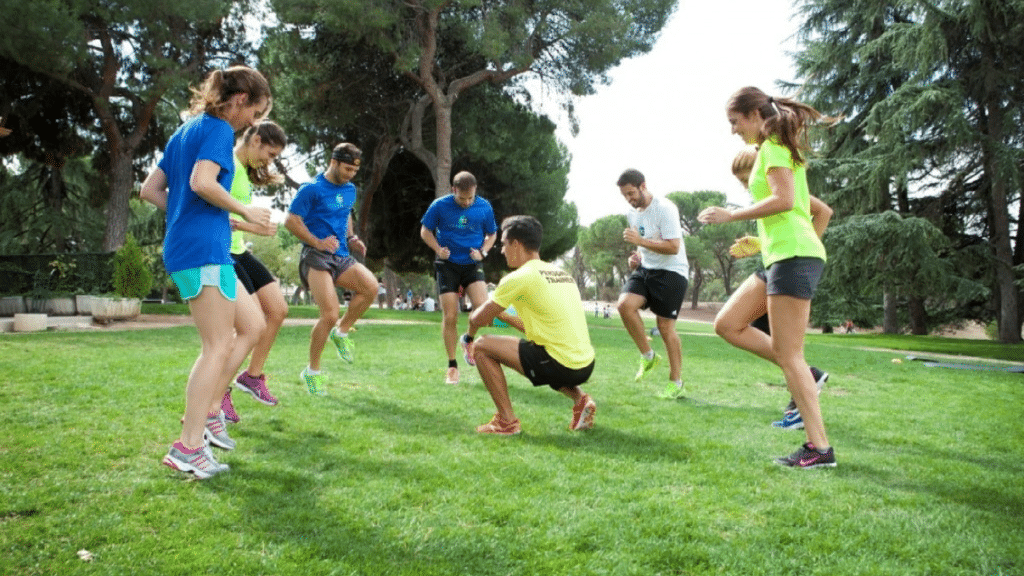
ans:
(549, 305)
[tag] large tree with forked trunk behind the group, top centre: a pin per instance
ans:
(446, 48)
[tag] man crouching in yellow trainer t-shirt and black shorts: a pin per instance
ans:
(557, 352)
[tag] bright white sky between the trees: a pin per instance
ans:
(664, 112)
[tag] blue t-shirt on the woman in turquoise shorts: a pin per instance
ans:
(198, 233)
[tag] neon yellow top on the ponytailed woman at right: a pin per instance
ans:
(789, 234)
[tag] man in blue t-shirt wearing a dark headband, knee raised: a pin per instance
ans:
(320, 217)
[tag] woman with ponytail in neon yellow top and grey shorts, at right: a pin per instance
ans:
(793, 254)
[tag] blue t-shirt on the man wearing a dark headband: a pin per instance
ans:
(324, 208)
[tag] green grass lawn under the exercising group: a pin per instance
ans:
(387, 476)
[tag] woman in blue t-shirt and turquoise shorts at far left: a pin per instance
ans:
(196, 172)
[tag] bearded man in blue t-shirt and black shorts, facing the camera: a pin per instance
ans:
(460, 229)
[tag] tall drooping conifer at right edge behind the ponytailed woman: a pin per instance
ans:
(935, 96)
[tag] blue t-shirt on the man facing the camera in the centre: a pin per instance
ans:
(460, 230)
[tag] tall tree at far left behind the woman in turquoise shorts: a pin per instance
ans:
(123, 57)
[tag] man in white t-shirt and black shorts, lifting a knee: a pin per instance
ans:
(660, 276)
